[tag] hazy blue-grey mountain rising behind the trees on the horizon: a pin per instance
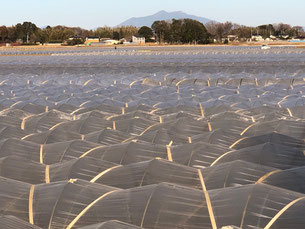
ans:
(162, 15)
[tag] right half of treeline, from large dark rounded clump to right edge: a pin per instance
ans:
(191, 31)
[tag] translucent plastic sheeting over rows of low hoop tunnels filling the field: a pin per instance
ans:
(219, 146)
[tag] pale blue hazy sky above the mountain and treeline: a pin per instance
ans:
(94, 13)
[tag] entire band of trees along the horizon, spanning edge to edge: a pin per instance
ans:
(172, 32)
